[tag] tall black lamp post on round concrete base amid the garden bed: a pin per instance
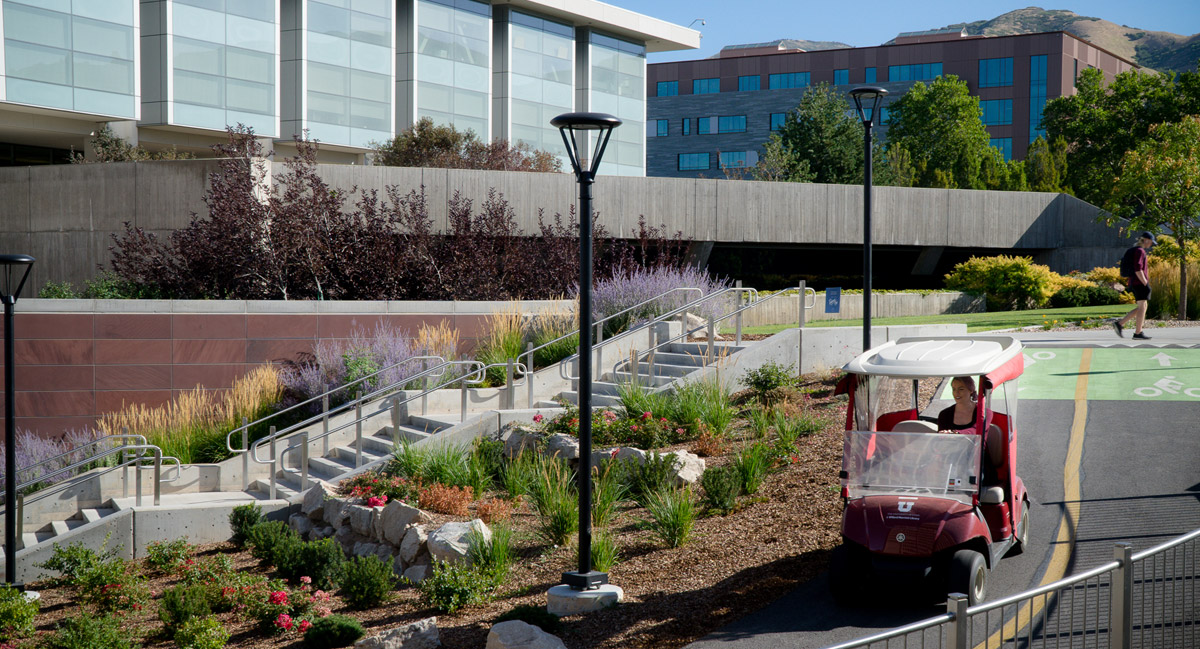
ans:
(574, 127)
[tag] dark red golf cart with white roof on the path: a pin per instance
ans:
(922, 504)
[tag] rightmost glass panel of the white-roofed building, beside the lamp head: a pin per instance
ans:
(619, 88)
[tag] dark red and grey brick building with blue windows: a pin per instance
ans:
(710, 116)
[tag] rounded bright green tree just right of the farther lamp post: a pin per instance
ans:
(941, 129)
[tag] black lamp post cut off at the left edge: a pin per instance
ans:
(11, 266)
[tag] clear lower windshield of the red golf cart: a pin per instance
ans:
(929, 464)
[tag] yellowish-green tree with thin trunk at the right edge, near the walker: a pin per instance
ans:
(1160, 188)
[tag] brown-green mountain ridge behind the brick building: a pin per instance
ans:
(1160, 51)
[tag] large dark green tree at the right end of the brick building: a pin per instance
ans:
(1101, 123)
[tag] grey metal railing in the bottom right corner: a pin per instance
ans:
(1137, 602)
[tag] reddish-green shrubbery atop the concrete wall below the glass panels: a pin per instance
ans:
(427, 145)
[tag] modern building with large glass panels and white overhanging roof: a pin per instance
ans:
(349, 74)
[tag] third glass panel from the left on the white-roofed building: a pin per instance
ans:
(350, 71)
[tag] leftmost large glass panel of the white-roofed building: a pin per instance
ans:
(74, 57)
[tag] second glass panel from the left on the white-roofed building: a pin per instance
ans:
(224, 64)
